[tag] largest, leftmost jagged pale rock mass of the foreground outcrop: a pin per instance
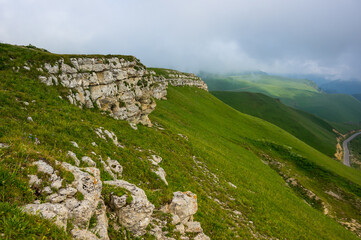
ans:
(64, 206)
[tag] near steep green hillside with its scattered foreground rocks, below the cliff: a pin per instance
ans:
(199, 169)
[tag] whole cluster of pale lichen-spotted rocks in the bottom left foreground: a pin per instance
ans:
(81, 202)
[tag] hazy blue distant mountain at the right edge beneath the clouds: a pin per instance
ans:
(346, 87)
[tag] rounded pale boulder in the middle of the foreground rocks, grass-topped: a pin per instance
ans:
(134, 216)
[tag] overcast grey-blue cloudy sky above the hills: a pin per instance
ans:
(275, 36)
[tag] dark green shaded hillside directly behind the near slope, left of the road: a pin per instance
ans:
(306, 127)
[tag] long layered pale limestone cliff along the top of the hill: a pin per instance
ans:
(122, 86)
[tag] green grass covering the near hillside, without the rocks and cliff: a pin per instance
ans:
(225, 140)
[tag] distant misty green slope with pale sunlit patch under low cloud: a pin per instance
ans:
(301, 94)
